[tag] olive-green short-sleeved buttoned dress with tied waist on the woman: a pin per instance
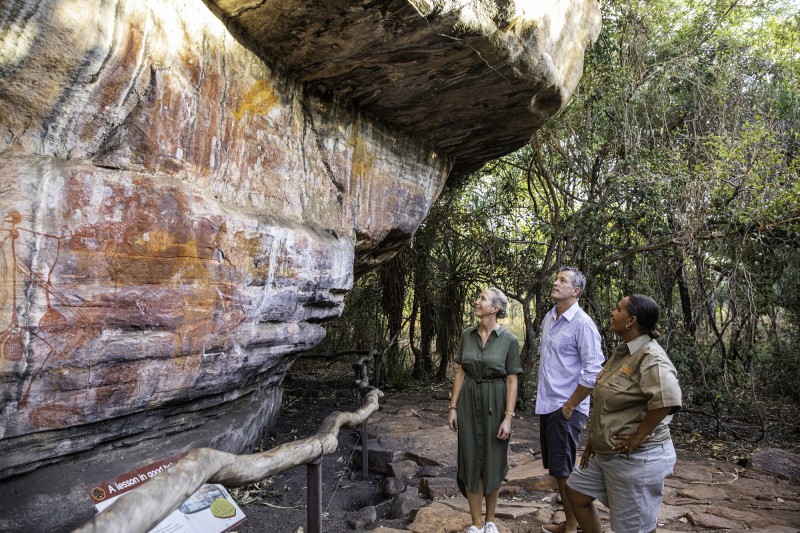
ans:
(482, 405)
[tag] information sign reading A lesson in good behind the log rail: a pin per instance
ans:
(211, 509)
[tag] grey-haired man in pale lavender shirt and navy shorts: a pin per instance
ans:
(570, 357)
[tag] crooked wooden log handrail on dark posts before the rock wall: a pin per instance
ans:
(144, 507)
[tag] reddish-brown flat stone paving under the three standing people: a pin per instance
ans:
(412, 445)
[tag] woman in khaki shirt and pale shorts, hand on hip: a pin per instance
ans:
(630, 452)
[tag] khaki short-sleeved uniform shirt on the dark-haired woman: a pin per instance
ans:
(636, 378)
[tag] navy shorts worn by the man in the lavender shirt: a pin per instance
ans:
(559, 440)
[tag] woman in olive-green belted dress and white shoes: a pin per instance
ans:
(482, 406)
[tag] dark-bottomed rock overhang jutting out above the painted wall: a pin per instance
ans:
(471, 80)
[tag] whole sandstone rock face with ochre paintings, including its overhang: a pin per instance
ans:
(186, 196)
